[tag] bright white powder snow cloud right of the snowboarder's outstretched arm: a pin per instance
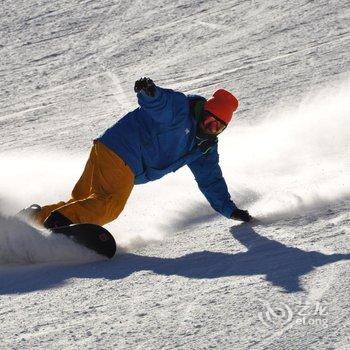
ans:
(295, 159)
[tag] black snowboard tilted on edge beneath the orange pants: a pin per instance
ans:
(91, 236)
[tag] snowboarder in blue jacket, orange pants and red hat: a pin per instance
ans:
(167, 131)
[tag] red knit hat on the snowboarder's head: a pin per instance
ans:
(222, 105)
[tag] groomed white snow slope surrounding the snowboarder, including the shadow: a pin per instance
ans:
(185, 277)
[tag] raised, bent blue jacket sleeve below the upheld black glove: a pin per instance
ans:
(164, 106)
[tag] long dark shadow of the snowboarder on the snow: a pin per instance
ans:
(281, 265)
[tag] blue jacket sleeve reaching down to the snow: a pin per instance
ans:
(208, 175)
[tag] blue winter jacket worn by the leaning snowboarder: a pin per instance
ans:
(159, 137)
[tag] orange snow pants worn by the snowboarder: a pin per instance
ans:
(101, 192)
